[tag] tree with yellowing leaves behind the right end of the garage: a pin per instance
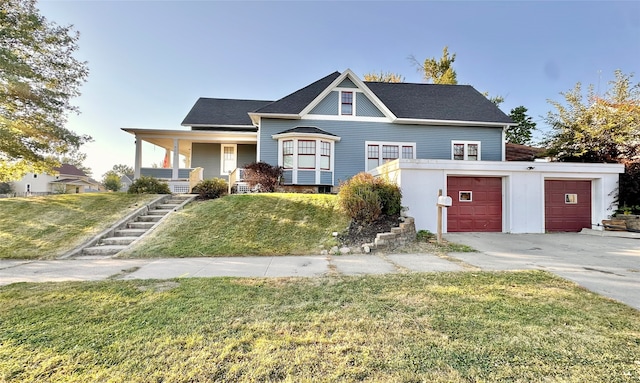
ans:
(597, 128)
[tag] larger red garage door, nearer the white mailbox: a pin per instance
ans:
(477, 204)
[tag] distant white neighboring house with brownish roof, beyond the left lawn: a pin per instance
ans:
(66, 179)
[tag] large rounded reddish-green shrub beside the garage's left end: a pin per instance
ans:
(364, 198)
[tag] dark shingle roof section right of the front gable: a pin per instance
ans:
(437, 102)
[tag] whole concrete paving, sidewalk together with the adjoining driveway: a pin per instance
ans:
(606, 265)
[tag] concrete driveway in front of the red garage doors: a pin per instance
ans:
(609, 266)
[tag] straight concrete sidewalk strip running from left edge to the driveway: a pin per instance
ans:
(167, 268)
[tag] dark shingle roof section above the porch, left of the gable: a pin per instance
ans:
(222, 112)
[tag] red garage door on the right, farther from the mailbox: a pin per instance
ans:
(567, 205)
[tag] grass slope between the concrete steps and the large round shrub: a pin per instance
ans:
(250, 224)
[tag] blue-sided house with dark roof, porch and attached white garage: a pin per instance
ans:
(339, 125)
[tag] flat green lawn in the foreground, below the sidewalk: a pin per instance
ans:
(436, 327)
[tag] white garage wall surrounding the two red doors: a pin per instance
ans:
(523, 188)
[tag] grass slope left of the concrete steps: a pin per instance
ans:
(46, 227)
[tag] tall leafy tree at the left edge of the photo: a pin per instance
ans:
(38, 78)
